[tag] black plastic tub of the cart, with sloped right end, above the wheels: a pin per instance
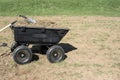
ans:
(38, 35)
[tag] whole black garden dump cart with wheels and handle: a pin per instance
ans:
(47, 37)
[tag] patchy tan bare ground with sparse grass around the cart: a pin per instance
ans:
(97, 56)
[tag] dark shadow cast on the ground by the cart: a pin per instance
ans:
(38, 50)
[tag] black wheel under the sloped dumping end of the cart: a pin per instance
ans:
(55, 54)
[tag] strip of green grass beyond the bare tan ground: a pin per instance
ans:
(60, 7)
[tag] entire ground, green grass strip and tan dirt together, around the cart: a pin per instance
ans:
(92, 46)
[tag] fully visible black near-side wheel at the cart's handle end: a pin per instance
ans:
(22, 55)
